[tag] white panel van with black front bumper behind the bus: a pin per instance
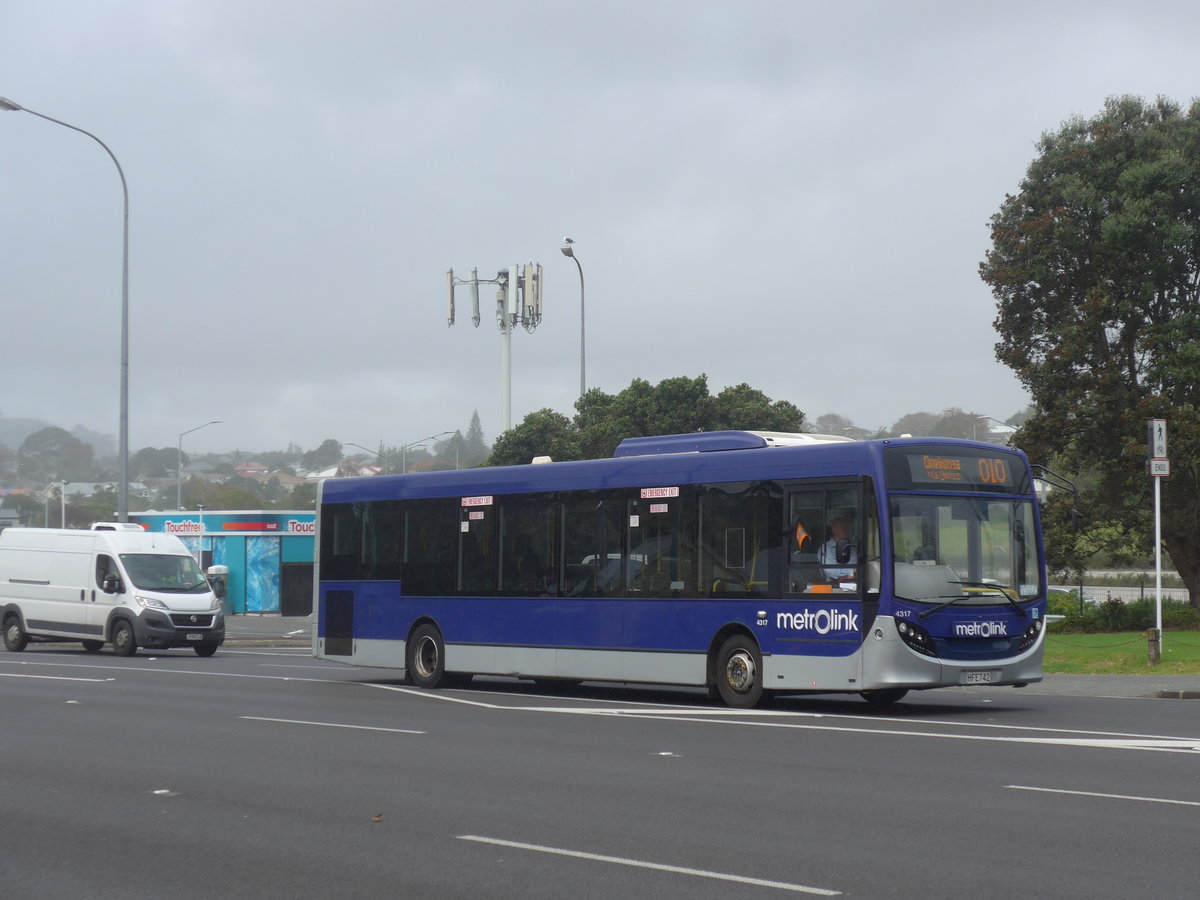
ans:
(125, 586)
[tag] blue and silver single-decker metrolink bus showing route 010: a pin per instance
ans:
(746, 562)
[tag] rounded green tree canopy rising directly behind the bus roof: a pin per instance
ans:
(675, 406)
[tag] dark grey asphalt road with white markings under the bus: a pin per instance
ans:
(266, 773)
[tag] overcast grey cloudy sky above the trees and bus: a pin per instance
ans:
(787, 194)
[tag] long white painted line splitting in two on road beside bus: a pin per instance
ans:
(1108, 741)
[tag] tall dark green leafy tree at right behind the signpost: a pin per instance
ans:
(1095, 267)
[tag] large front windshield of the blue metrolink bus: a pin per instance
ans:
(946, 548)
